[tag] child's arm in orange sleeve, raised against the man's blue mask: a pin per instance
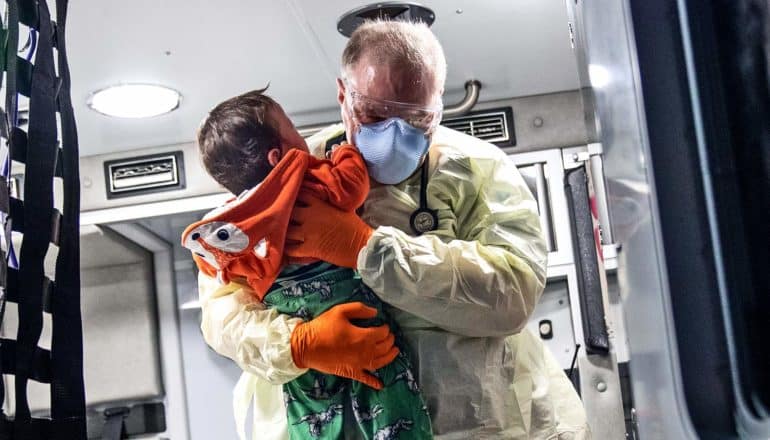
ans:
(343, 180)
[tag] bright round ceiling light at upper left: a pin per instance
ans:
(135, 100)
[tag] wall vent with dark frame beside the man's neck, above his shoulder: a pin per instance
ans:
(494, 125)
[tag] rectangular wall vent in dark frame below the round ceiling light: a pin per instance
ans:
(144, 175)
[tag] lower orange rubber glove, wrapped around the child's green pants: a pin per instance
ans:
(331, 344)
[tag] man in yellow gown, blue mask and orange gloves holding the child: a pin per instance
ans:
(457, 291)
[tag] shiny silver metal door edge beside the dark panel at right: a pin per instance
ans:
(606, 36)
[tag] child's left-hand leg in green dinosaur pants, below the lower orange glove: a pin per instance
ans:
(314, 406)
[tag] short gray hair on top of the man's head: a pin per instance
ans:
(410, 47)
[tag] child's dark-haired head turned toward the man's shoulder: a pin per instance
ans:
(243, 138)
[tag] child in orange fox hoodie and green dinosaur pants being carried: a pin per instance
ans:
(248, 145)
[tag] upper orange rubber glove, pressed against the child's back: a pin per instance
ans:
(319, 230)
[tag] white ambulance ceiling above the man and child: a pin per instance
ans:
(210, 51)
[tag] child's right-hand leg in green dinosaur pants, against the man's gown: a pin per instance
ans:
(395, 412)
